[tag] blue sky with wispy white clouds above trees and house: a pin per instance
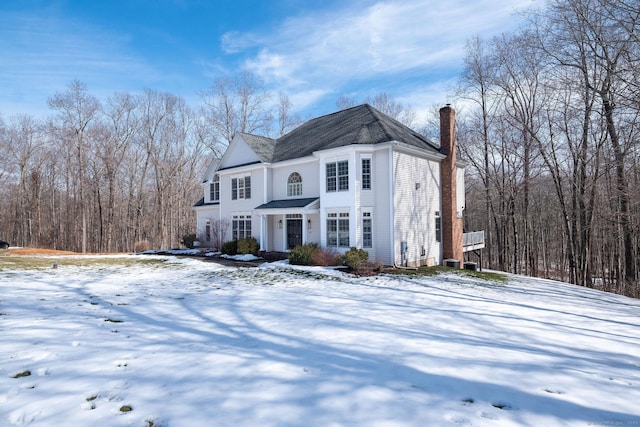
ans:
(314, 51)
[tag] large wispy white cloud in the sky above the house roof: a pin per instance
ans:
(388, 40)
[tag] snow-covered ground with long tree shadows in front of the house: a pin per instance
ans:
(182, 342)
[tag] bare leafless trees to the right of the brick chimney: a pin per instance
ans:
(552, 135)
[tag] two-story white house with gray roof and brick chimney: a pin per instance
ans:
(354, 178)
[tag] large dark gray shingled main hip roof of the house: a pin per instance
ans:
(358, 125)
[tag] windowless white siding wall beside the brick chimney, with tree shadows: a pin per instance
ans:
(416, 200)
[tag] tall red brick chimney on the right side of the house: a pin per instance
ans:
(451, 224)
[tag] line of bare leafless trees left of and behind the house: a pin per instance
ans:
(122, 174)
